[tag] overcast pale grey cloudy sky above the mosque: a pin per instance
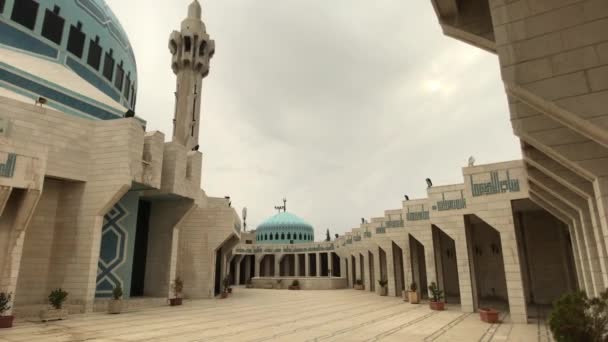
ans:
(342, 106)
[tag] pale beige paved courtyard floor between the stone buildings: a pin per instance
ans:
(281, 315)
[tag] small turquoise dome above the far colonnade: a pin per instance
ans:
(284, 228)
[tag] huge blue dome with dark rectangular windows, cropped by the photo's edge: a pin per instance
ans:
(73, 53)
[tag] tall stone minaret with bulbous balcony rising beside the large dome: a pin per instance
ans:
(191, 50)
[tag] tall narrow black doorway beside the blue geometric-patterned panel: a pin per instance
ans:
(138, 273)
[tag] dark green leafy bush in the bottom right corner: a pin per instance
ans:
(576, 318)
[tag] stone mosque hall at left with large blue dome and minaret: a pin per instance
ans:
(90, 200)
